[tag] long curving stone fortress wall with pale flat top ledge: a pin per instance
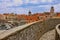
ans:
(32, 31)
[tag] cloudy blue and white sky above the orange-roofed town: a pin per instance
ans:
(23, 6)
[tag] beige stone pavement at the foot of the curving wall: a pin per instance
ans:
(49, 35)
